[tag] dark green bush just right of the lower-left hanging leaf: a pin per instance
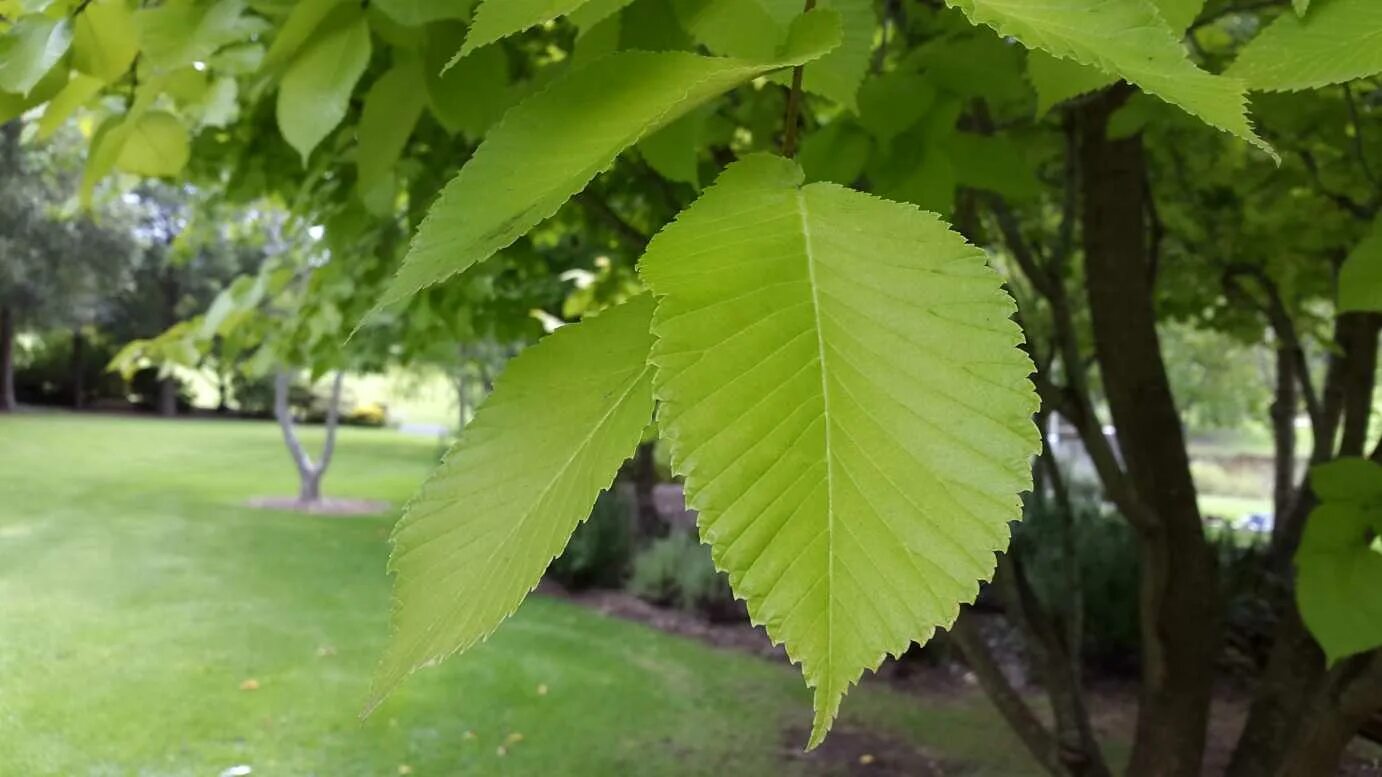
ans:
(599, 552)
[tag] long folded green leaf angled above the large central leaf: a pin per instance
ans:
(577, 127)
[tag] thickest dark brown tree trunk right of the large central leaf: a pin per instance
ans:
(1178, 613)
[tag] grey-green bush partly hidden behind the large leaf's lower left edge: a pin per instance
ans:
(678, 572)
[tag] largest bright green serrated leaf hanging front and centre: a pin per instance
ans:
(844, 391)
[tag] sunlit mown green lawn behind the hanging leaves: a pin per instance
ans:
(138, 595)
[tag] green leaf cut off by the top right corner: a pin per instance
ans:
(1338, 42)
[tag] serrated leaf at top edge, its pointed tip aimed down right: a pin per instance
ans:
(1128, 39)
